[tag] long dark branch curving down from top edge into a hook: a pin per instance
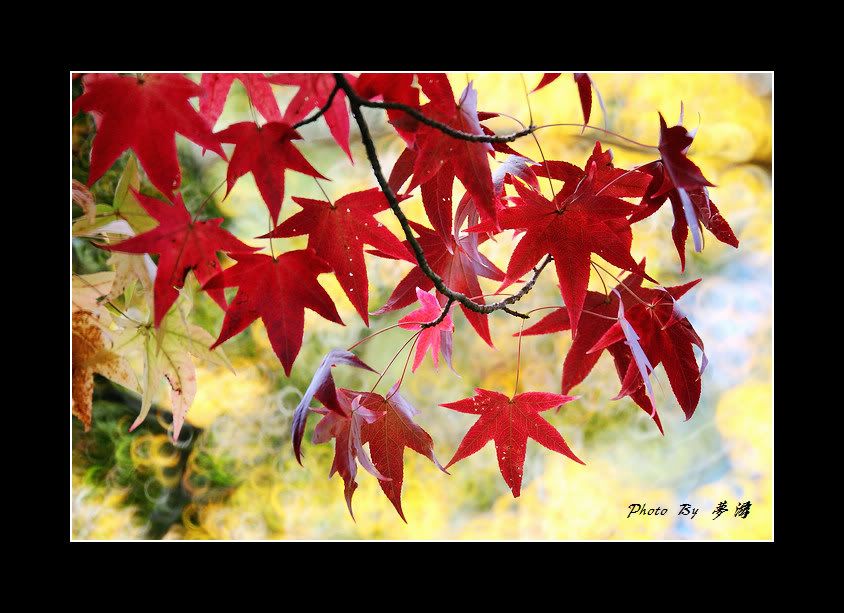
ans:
(439, 284)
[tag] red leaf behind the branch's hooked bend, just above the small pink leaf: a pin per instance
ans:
(458, 263)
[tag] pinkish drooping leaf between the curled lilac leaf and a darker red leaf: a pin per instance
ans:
(345, 427)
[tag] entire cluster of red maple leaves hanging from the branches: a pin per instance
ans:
(590, 215)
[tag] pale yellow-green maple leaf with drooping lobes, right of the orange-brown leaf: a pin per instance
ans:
(166, 354)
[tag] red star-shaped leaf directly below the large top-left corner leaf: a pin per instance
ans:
(182, 244)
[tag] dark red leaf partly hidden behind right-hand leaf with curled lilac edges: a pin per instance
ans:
(599, 314)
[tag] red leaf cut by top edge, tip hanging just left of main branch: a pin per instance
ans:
(314, 90)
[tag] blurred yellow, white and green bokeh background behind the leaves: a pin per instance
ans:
(235, 477)
